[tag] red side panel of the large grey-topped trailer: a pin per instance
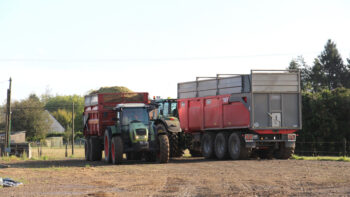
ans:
(213, 112)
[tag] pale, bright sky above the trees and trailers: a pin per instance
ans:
(66, 47)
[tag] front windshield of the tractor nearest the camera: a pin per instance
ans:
(135, 115)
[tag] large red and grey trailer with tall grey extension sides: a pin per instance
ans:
(236, 115)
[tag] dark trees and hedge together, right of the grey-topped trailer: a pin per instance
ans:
(325, 102)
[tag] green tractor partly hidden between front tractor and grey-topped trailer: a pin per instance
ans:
(166, 119)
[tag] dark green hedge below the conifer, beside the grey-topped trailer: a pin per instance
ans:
(326, 120)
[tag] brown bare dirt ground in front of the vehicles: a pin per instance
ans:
(180, 177)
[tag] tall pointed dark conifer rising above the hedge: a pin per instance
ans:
(329, 70)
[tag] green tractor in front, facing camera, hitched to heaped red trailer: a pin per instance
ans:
(135, 135)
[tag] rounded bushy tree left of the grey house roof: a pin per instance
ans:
(29, 115)
